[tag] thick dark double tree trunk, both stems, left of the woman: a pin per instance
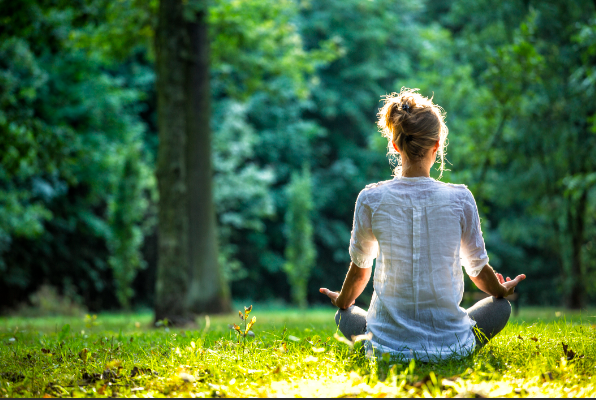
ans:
(189, 280)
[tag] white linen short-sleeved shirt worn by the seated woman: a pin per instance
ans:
(417, 228)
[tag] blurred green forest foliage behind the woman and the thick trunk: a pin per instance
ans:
(295, 89)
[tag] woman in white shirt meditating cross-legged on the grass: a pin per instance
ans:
(417, 228)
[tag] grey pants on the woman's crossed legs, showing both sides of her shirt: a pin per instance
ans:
(491, 316)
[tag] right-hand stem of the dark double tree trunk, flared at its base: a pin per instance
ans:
(208, 291)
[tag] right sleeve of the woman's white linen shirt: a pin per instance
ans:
(472, 244)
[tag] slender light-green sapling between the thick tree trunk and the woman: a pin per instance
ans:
(300, 250)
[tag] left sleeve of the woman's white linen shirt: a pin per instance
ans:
(364, 247)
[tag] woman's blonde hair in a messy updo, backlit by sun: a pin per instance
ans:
(414, 123)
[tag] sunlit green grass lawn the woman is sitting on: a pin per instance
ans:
(293, 353)
